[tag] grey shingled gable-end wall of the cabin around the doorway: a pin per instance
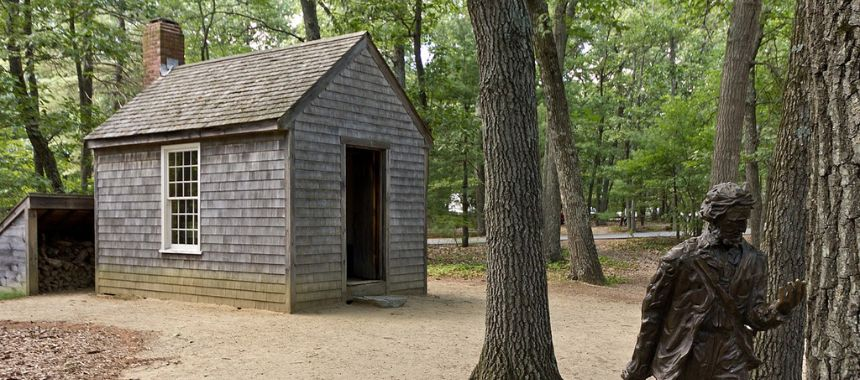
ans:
(357, 104)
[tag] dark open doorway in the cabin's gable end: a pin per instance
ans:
(363, 214)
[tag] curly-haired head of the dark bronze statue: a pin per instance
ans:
(726, 208)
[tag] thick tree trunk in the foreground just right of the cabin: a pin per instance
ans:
(518, 337)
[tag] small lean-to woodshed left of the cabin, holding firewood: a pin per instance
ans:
(49, 234)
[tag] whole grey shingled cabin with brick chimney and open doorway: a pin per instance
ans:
(277, 179)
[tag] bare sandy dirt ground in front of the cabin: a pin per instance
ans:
(434, 337)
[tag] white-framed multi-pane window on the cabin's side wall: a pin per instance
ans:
(180, 198)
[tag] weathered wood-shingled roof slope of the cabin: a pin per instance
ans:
(234, 90)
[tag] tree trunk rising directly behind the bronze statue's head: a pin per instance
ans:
(743, 30)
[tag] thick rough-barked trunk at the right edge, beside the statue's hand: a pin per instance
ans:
(833, 325)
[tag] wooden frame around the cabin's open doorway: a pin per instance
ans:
(382, 148)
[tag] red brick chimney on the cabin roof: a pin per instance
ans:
(163, 49)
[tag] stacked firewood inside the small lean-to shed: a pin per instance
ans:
(66, 265)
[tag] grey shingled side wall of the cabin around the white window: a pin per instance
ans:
(243, 233)
